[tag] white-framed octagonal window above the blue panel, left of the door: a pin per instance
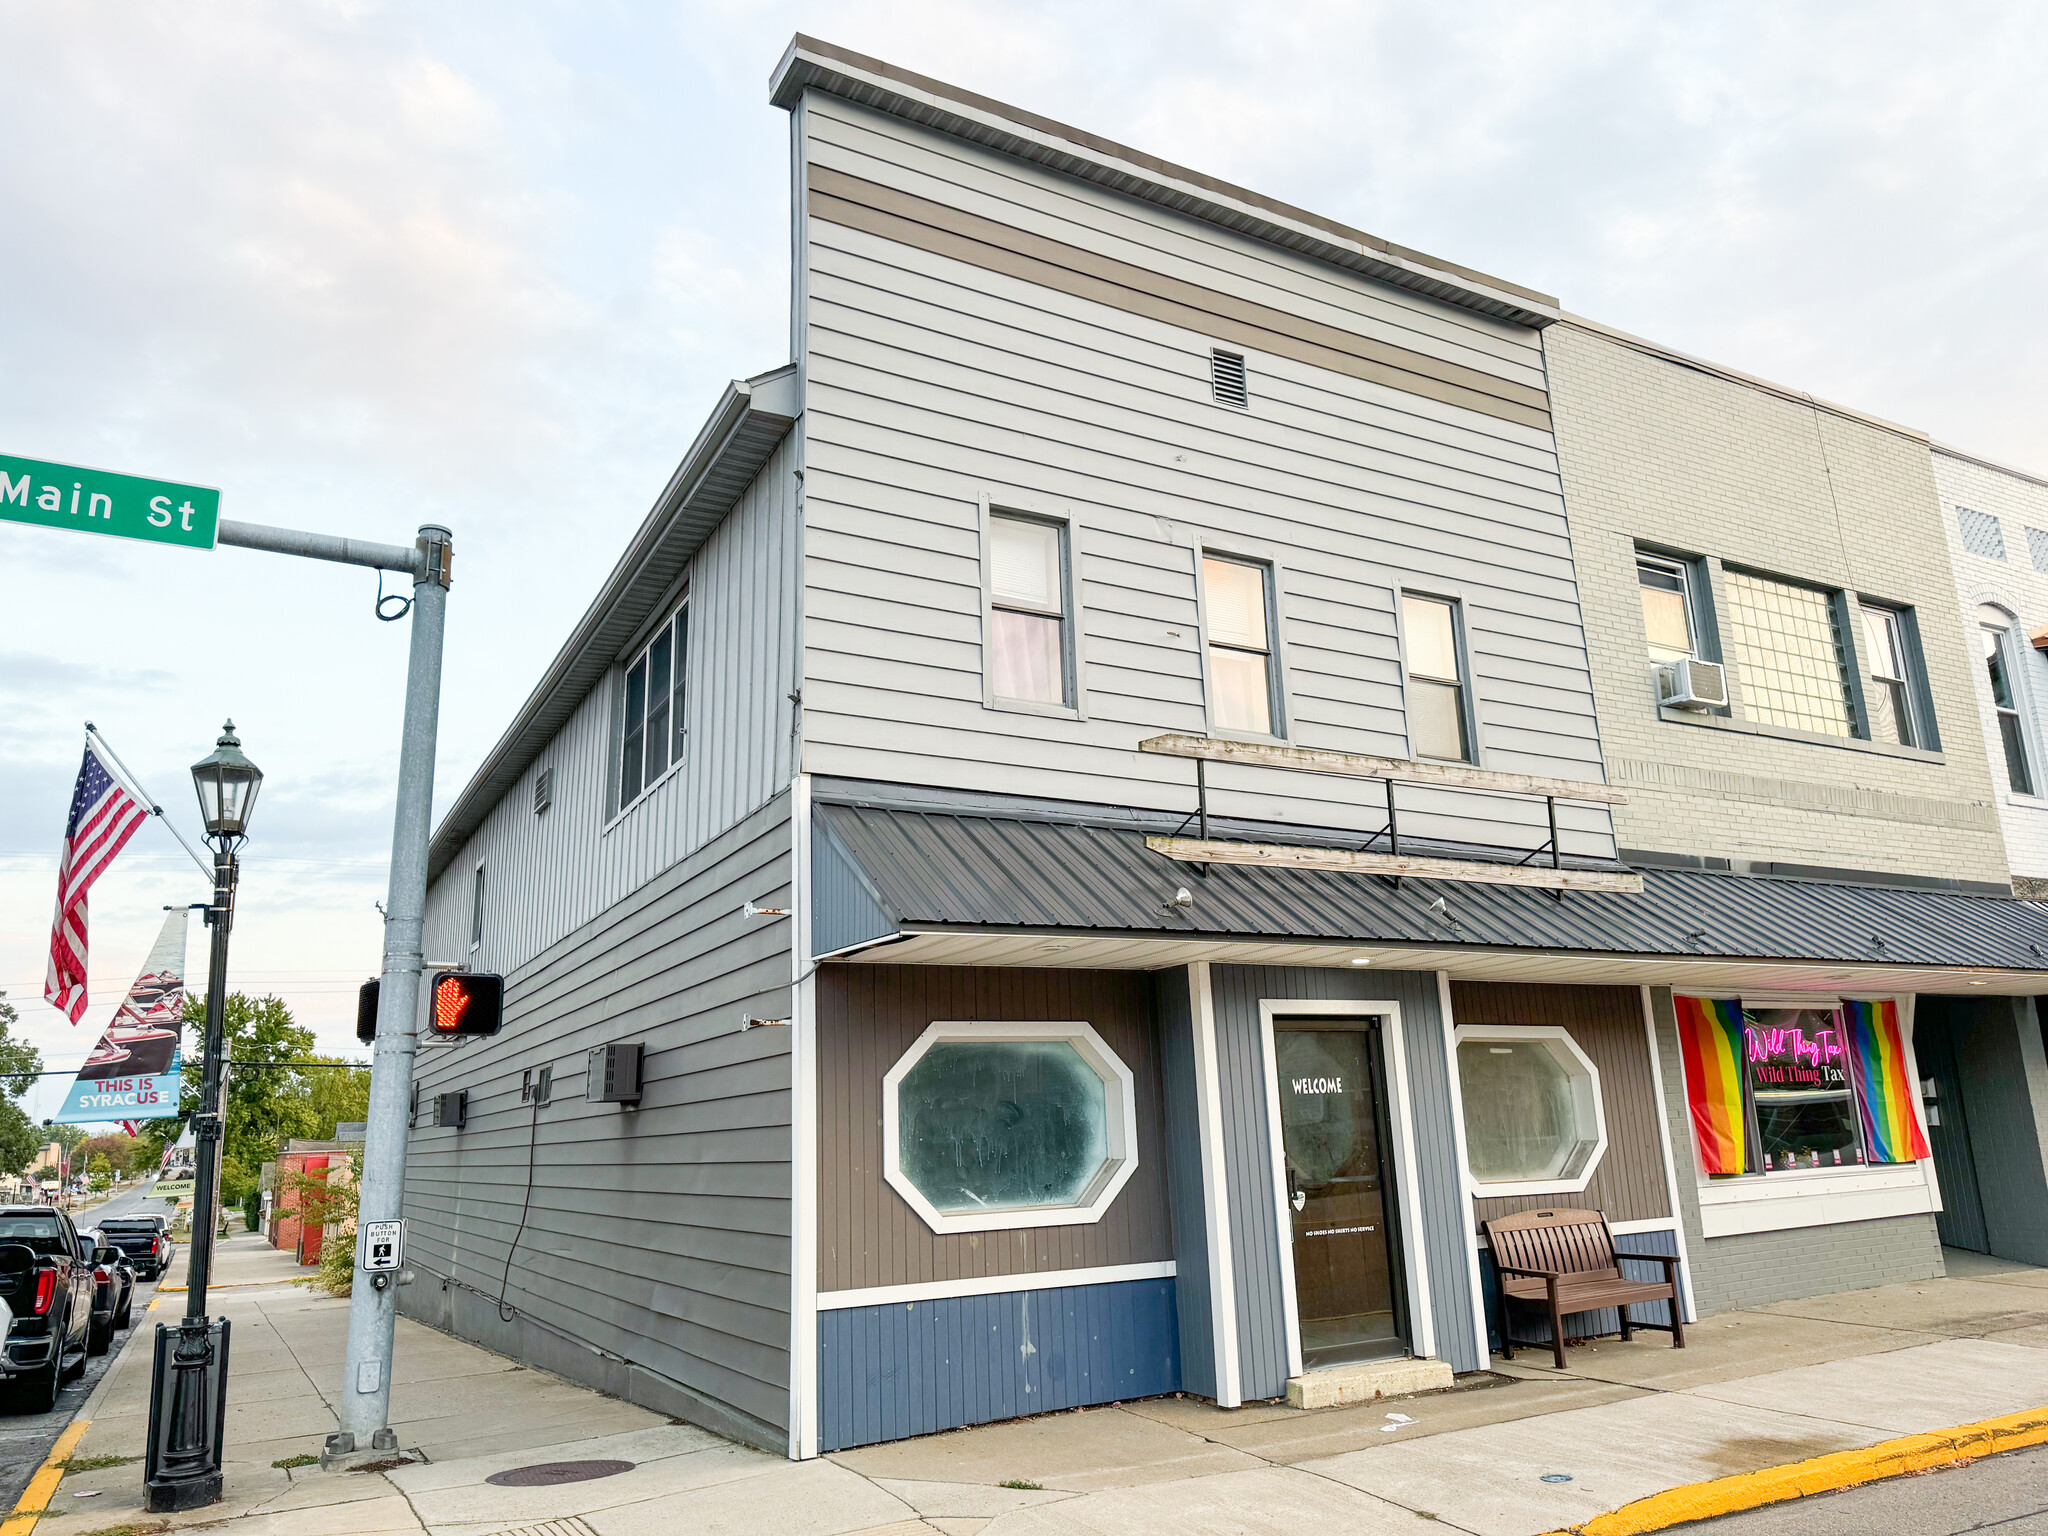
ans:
(1009, 1125)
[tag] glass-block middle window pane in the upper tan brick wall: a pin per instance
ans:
(1791, 654)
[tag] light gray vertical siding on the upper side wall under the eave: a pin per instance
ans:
(552, 873)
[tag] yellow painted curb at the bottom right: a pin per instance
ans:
(1846, 1469)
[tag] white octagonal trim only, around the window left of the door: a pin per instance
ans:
(1123, 1142)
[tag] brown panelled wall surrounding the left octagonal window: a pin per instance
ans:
(867, 1017)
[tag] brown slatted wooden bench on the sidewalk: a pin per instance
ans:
(1566, 1263)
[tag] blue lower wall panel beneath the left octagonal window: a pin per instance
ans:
(908, 1369)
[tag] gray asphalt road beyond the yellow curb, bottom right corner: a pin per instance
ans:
(2000, 1494)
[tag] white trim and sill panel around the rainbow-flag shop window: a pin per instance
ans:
(1818, 1197)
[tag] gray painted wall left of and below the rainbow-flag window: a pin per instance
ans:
(1758, 1269)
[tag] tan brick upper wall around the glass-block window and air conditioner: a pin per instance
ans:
(1676, 456)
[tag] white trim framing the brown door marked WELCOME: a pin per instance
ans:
(1422, 1318)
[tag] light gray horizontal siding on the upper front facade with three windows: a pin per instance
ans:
(937, 380)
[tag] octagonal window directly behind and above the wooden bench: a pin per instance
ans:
(1533, 1115)
